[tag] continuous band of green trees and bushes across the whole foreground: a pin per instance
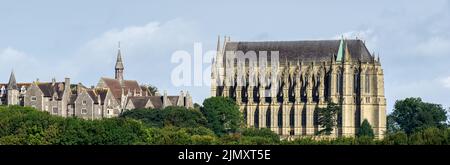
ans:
(181, 126)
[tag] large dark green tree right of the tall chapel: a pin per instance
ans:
(412, 114)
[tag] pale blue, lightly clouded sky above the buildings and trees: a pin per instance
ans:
(78, 39)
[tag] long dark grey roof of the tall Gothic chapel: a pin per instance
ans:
(307, 51)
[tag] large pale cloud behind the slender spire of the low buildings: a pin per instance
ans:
(145, 49)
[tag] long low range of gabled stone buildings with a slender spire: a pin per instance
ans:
(108, 99)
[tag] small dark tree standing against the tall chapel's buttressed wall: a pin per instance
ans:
(328, 117)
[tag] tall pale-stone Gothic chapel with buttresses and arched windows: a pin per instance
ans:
(286, 92)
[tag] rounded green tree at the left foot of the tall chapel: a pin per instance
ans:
(222, 114)
